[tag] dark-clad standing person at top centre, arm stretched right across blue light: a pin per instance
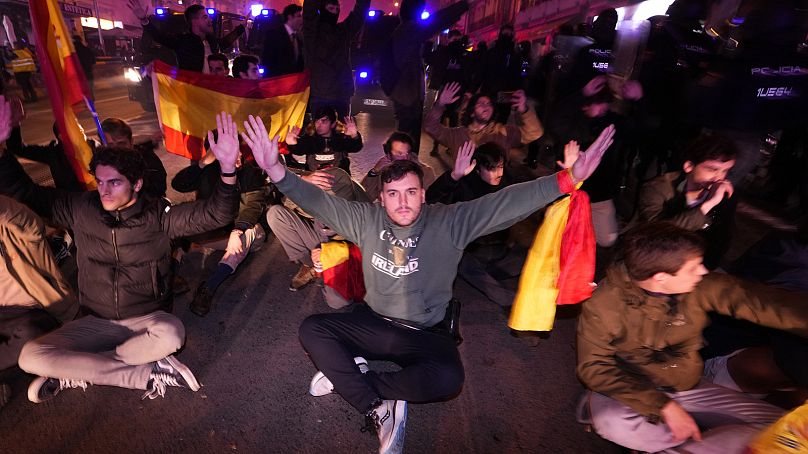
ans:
(402, 73)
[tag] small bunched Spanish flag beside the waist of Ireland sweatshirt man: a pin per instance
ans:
(342, 269)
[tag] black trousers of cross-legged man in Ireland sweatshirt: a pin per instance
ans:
(431, 369)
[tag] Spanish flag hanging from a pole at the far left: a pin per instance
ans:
(65, 81)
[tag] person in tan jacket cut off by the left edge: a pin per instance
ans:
(34, 295)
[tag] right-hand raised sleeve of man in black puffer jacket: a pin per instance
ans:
(193, 218)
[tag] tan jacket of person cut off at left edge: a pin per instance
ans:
(30, 261)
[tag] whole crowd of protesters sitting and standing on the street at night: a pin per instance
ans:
(663, 189)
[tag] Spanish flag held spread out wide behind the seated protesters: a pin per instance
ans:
(187, 104)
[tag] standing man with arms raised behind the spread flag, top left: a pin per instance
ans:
(192, 47)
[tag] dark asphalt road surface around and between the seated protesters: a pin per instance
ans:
(519, 394)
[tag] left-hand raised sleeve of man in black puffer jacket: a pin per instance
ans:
(50, 203)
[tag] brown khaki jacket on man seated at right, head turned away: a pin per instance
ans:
(632, 346)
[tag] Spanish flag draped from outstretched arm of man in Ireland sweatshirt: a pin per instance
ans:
(560, 265)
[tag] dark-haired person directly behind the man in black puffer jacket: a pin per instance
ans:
(119, 134)
